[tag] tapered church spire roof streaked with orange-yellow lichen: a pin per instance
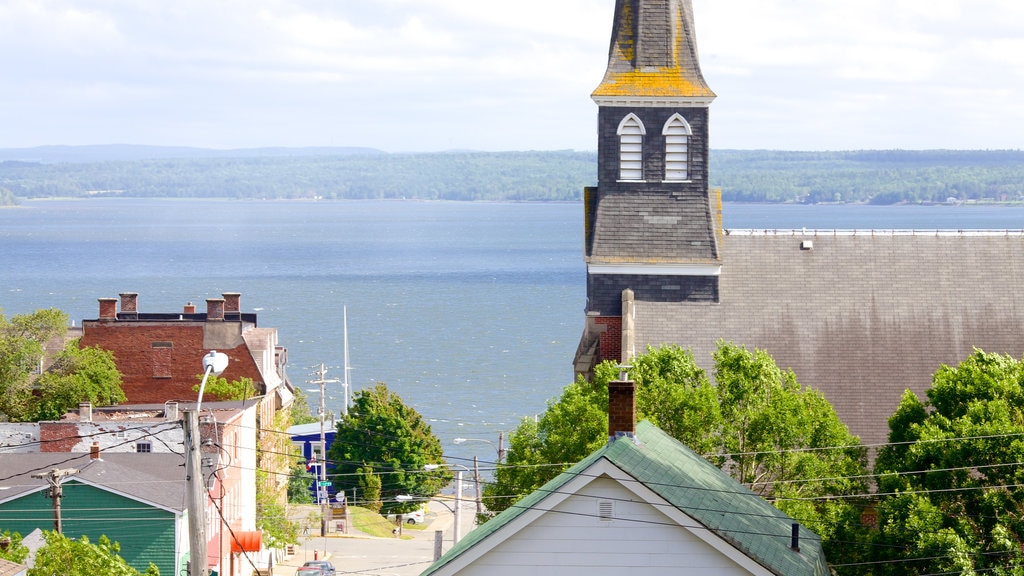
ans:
(654, 54)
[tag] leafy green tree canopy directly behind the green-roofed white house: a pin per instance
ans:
(756, 423)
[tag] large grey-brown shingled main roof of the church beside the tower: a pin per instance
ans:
(859, 317)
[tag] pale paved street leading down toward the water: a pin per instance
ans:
(386, 557)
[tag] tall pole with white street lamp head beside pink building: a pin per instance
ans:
(214, 363)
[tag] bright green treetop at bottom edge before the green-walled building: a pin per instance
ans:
(65, 557)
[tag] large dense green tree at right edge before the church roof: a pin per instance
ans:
(951, 480)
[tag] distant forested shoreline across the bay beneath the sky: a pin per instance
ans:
(865, 177)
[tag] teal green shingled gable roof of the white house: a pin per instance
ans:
(697, 488)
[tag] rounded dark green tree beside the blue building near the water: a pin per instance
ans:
(383, 434)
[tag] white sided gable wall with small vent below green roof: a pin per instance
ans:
(573, 540)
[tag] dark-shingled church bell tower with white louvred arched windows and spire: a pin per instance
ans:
(653, 227)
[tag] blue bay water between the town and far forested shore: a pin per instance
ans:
(472, 312)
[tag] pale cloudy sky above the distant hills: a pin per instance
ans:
(438, 75)
